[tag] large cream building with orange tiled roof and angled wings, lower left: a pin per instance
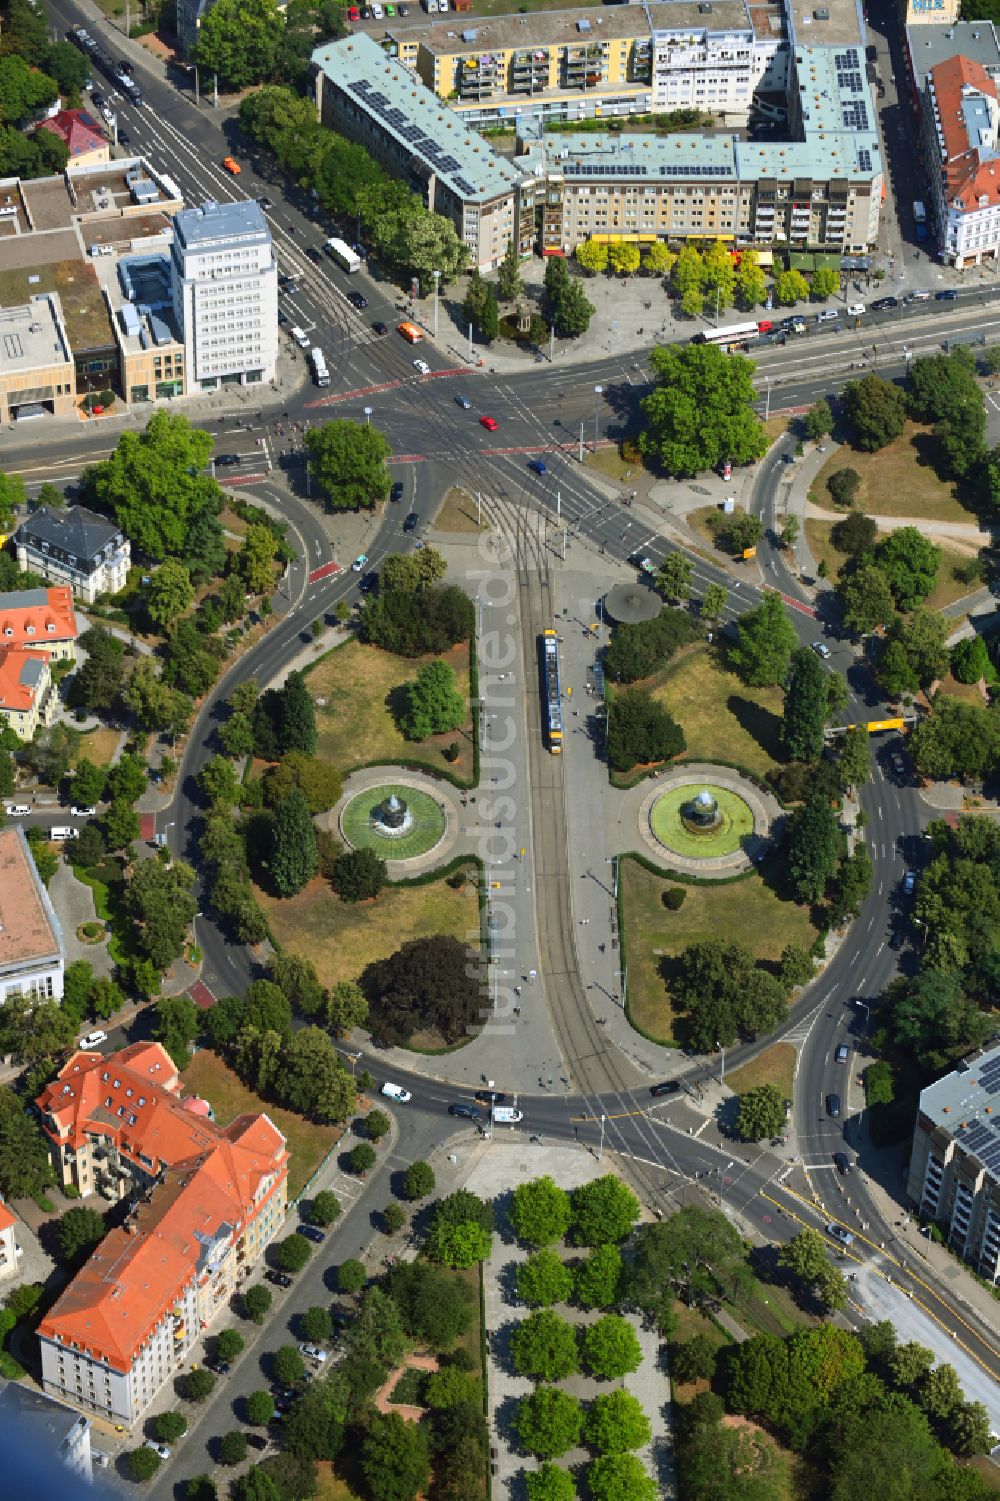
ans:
(206, 1205)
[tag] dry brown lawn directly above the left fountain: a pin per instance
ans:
(358, 684)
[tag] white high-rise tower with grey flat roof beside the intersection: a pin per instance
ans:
(226, 295)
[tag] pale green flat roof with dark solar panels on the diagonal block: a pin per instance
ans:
(415, 118)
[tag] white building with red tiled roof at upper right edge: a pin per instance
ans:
(962, 125)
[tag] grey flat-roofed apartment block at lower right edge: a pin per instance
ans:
(956, 1161)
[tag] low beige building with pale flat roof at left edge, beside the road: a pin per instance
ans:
(37, 364)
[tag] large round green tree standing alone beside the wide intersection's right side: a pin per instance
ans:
(700, 412)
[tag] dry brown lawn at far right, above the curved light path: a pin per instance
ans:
(896, 483)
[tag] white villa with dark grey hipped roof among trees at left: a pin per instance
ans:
(74, 547)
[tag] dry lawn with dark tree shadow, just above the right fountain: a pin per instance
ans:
(723, 718)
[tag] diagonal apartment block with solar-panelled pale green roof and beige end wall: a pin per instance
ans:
(373, 100)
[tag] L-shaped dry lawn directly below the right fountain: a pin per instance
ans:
(745, 912)
